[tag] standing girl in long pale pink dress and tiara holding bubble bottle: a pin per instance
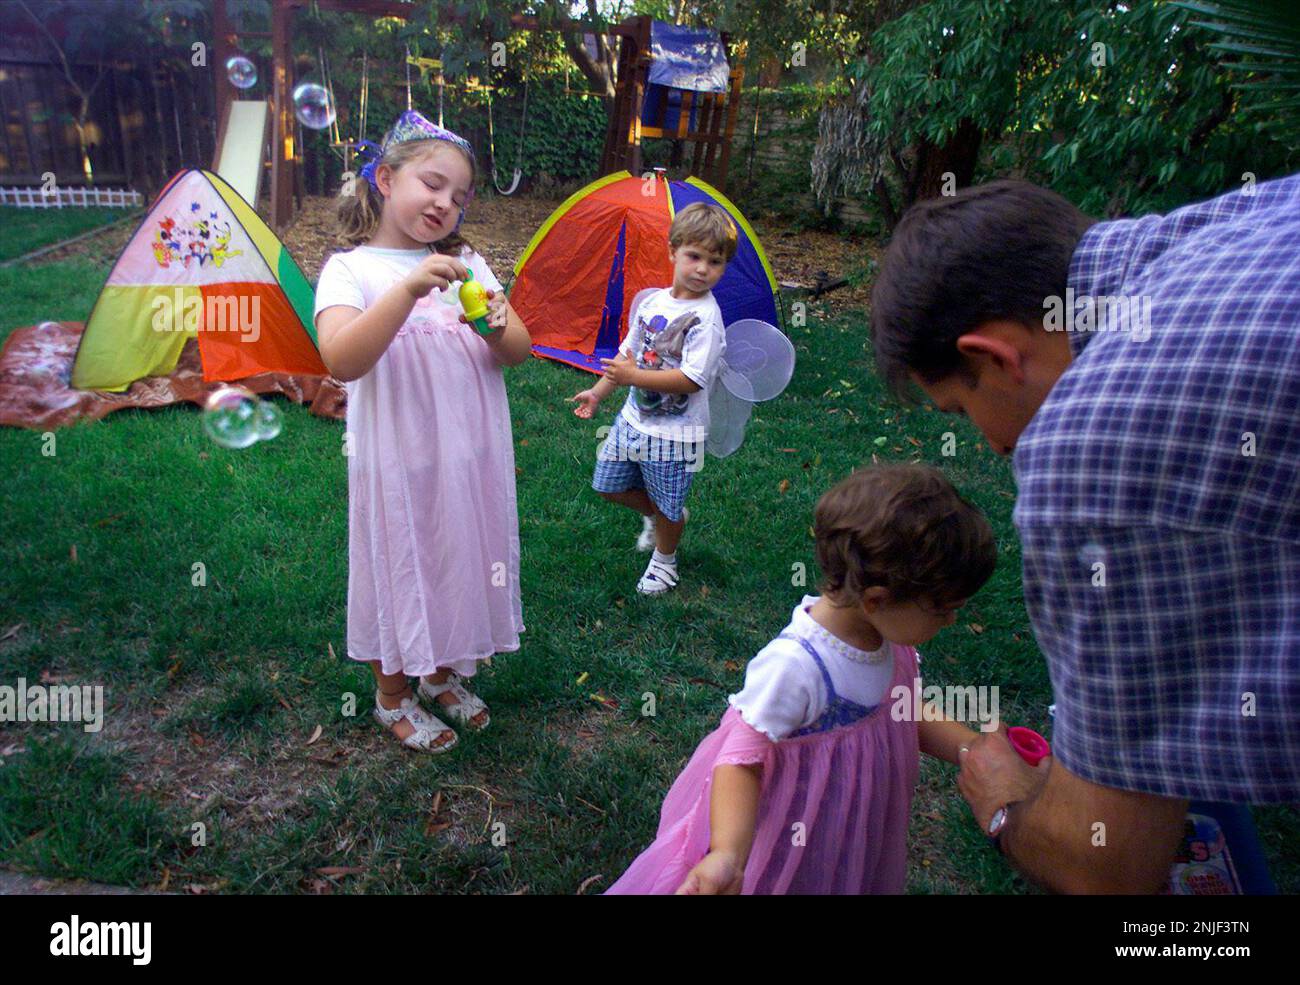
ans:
(434, 526)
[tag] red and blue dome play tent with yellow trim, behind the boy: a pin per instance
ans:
(578, 277)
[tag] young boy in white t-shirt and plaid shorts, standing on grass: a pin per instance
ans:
(670, 359)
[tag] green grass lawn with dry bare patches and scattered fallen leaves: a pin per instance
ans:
(209, 773)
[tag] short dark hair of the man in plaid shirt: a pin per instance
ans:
(990, 253)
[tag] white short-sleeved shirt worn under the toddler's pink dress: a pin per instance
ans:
(785, 691)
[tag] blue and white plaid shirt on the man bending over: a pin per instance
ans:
(1159, 506)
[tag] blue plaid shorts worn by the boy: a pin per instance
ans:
(664, 468)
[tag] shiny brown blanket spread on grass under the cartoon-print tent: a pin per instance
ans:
(37, 365)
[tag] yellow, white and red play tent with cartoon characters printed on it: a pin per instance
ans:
(202, 266)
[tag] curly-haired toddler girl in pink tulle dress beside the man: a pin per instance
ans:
(807, 786)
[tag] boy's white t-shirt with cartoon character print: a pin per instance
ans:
(673, 333)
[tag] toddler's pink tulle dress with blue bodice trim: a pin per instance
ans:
(835, 804)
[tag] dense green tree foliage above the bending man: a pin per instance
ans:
(1119, 106)
